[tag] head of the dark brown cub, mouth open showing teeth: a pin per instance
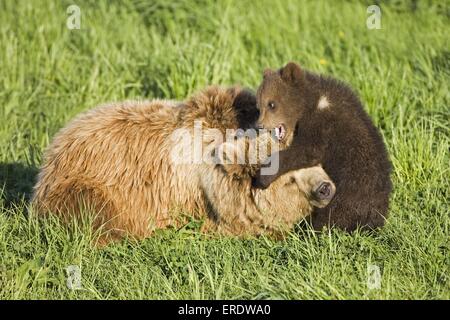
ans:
(283, 100)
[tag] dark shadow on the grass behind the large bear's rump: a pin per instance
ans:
(16, 182)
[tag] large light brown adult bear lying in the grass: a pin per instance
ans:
(117, 161)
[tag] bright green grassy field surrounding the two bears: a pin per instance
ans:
(139, 49)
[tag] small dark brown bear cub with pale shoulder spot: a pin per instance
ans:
(319, 120)
